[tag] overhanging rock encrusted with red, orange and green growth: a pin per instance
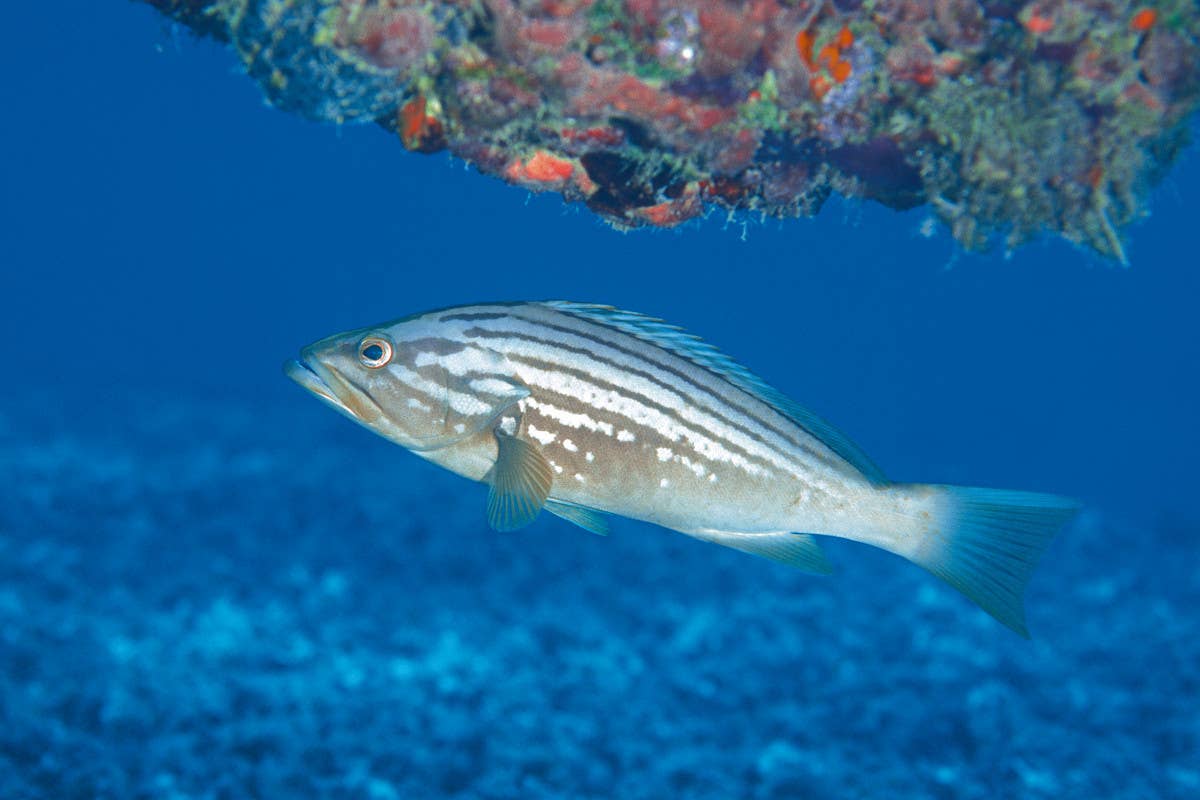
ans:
(1007, 118)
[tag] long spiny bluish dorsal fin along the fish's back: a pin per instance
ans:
(693, 348)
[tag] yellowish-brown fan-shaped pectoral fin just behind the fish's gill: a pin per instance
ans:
(521, 482)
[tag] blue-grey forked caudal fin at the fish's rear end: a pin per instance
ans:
(987, 543)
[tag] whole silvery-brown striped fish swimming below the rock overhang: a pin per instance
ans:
(590, 412)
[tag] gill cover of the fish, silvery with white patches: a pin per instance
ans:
(470, 404)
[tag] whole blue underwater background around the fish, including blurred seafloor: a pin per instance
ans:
(213, 587)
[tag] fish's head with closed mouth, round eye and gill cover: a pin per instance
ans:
(409, 384)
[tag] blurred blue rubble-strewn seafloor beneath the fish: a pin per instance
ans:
(214, 600)
